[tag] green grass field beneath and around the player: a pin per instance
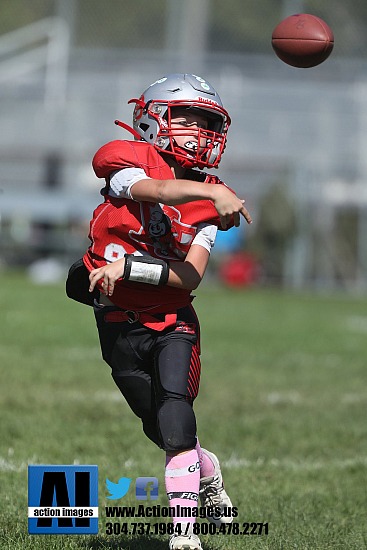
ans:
(282, 402)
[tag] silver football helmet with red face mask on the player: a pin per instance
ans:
(155, 107)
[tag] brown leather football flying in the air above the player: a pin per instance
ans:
(303, 40)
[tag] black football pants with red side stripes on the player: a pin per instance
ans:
(158, 373)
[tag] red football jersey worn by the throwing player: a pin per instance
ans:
(122, 226)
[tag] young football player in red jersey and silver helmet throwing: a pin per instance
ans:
(150, 245)
